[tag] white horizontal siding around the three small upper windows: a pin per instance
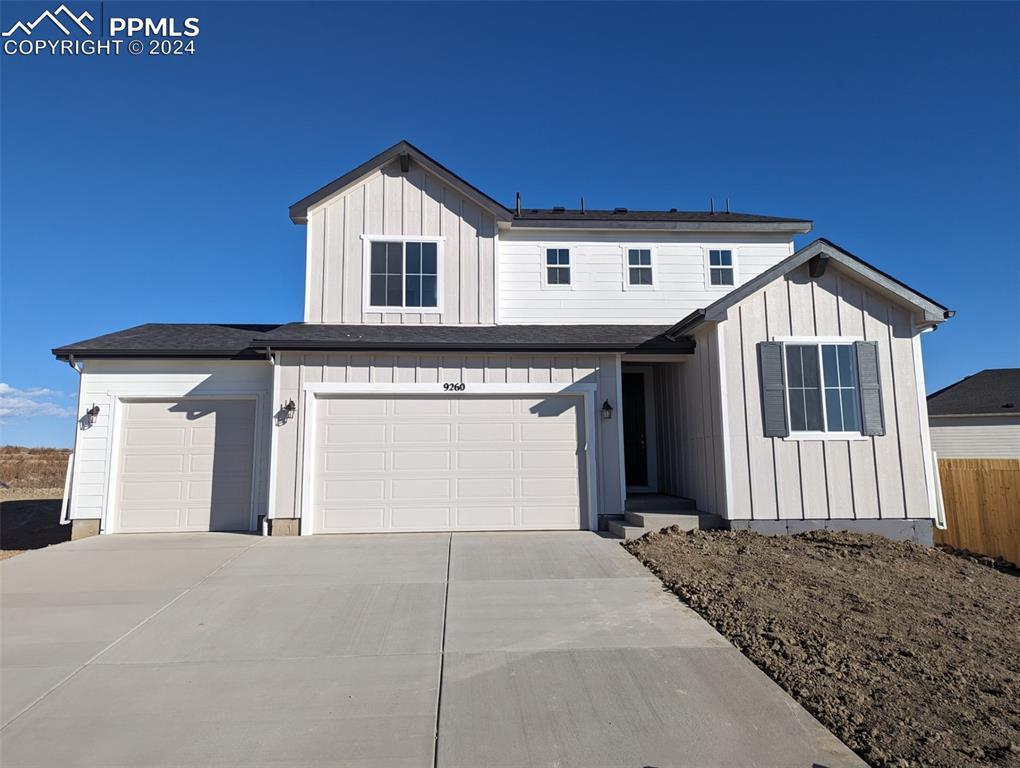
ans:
(599, 294)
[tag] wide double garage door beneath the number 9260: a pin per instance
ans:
(440, 464)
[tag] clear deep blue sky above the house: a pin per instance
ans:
(139, 189)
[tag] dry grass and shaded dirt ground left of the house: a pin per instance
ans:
(30, 498)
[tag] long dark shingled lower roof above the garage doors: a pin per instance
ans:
(246, 342)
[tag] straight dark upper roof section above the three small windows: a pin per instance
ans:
(672, 220)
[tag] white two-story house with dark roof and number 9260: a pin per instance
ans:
(467, 367)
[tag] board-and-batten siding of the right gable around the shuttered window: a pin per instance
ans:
(865, 479)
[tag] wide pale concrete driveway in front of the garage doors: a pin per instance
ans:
(399, 650)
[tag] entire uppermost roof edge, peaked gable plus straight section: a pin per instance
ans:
(554, 218)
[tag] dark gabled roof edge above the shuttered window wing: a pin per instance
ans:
(820, 253)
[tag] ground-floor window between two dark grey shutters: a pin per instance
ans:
(824, 387)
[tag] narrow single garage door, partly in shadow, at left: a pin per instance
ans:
(186, 466)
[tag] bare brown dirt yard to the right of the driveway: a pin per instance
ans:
(909, 655)
